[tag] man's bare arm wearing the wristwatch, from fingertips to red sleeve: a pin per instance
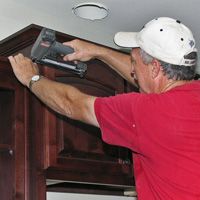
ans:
(64, 99)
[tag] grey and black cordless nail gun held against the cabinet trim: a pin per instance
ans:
(47, 51)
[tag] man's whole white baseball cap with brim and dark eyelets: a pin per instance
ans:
(164, 38)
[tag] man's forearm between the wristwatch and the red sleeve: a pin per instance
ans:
(66, 100)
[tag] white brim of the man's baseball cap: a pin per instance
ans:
(126, 39)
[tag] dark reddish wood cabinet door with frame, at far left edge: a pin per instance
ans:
(13, 164)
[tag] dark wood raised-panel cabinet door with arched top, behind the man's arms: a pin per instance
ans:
(74, 151)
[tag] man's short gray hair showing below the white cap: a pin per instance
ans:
(175, 72)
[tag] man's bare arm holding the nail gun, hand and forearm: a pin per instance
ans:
(85, 51)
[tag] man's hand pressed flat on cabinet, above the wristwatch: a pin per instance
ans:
(23, 68)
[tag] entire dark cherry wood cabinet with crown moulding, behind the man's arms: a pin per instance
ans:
(38, 145)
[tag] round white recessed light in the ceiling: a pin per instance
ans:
(90, 11)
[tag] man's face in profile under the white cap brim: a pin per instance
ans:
(140, 72)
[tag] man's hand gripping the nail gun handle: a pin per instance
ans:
(83, 51)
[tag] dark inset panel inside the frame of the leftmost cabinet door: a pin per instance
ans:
(7, 189)
